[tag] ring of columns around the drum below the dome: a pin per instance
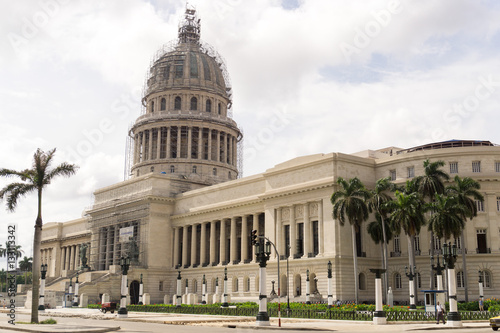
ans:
(193, 142)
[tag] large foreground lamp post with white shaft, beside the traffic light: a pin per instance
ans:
(263, 254)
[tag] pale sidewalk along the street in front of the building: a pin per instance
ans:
(214, 321)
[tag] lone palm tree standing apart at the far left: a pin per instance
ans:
(34, 180)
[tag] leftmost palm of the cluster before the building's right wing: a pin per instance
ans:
(349, 204)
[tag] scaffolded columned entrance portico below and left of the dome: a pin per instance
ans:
(117, 234)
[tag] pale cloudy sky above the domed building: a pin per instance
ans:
(308, 77)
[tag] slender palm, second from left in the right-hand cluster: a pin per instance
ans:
(378, 203)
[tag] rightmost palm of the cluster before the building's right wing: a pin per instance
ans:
(465, 190)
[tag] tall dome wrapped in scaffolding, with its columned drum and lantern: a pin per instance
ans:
(186, 128)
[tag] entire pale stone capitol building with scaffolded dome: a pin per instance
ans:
(186, 208)
